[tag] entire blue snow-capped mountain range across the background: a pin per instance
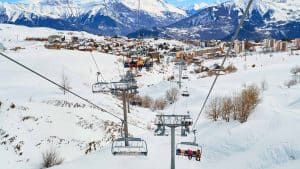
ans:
(278, 19)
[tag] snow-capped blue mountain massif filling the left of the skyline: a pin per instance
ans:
(110, 18)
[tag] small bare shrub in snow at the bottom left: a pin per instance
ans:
(51, 158)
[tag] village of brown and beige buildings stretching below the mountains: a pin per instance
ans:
(140, 52)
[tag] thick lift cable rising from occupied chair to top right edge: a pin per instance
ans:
(223, 62)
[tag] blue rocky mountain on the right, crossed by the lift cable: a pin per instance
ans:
(278, 19)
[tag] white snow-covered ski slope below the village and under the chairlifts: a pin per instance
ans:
(268, 140)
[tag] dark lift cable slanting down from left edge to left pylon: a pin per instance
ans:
(71, 92)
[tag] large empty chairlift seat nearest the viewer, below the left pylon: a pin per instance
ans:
(135, 147)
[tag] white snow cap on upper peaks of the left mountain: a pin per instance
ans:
(63, 8)
